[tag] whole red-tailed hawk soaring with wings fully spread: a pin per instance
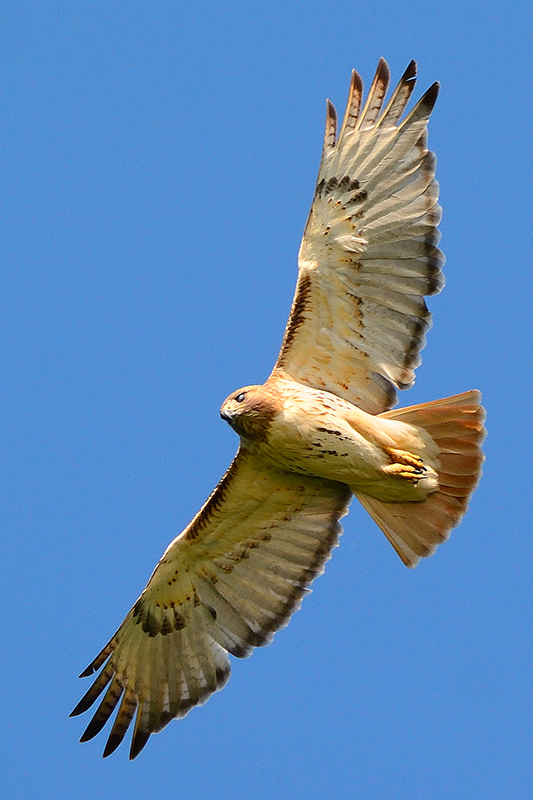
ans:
(318, 431)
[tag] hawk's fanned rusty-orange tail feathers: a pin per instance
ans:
(456, 425)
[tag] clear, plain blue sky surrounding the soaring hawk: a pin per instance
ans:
(158, 162)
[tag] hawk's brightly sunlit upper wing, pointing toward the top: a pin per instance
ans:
(369, 251)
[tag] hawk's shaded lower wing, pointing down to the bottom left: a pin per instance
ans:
(225, 585)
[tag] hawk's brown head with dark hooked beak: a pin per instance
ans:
(250, 411)
